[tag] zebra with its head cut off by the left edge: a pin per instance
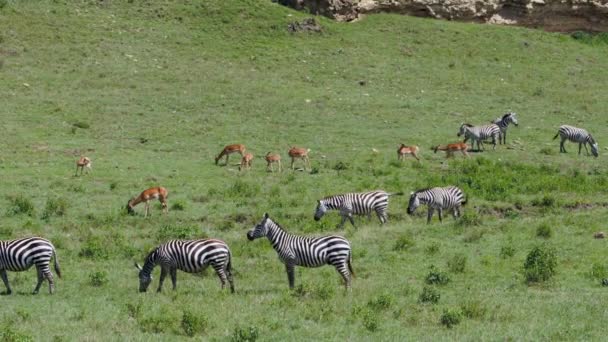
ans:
(20, 254)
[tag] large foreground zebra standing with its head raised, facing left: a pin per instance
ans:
(305, 251)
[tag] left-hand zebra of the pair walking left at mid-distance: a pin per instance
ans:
(362, 203)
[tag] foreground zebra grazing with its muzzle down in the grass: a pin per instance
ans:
(191, 256)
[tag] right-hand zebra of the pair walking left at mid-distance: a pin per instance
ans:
(449, 197)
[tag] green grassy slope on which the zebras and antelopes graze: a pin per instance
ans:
(152, 90)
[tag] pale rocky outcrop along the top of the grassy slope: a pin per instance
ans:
(551, 15)
